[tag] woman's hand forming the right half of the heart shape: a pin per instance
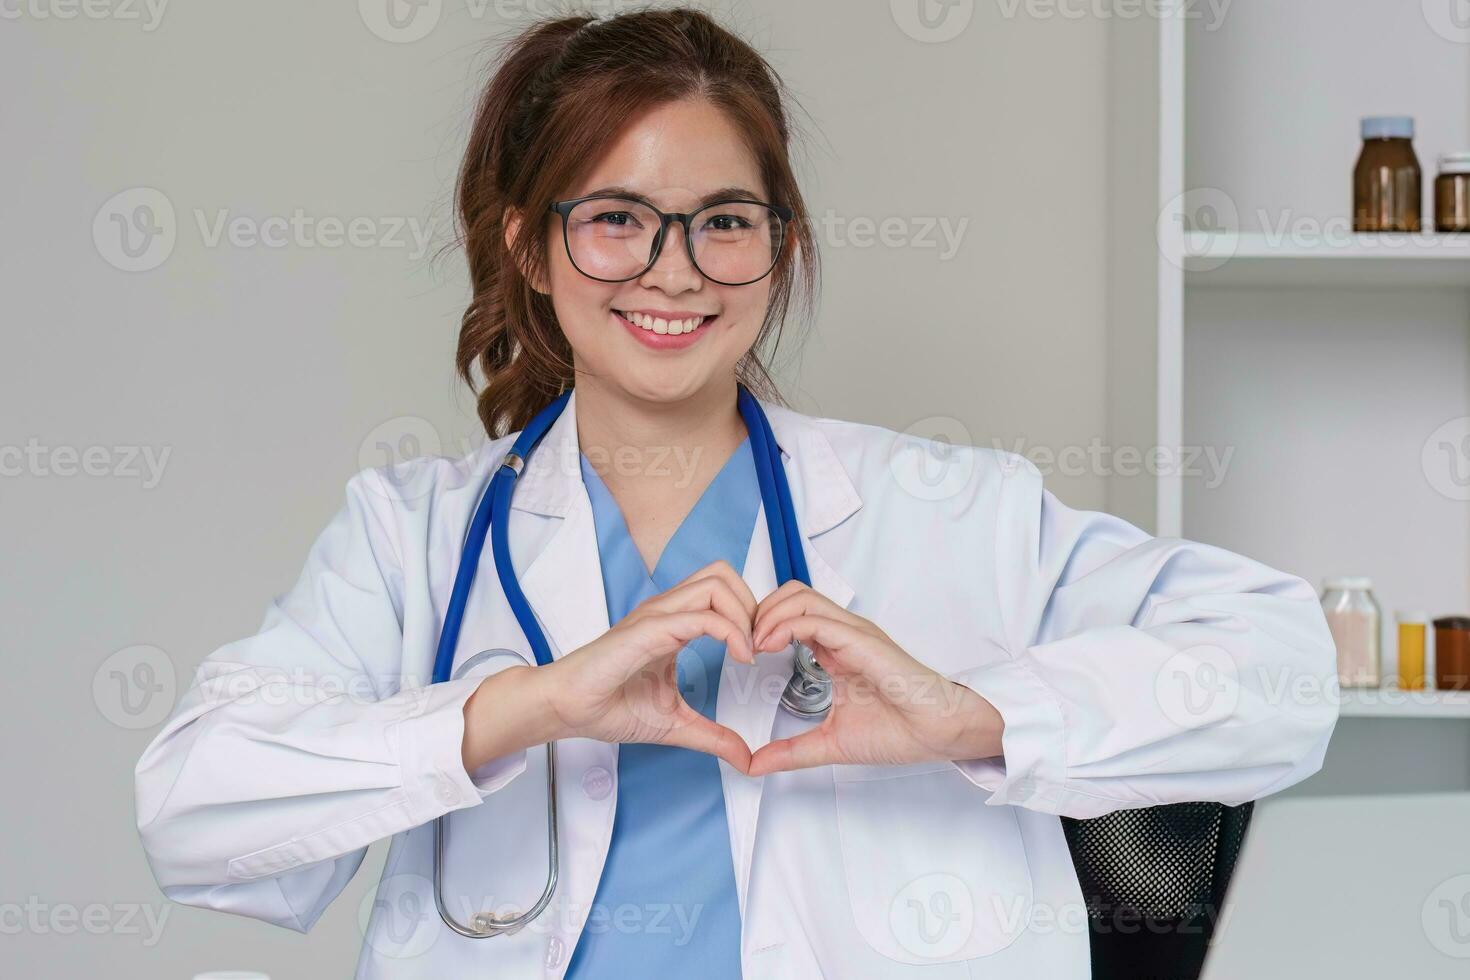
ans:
(887, 707)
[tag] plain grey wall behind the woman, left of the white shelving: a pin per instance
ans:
(257, 378)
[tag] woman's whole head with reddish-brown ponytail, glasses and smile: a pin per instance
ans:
(615, 143)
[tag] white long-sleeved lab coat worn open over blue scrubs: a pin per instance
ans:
(1131, 671)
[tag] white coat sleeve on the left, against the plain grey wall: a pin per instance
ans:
(299, 747)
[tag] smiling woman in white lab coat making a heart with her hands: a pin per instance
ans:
(997, 659)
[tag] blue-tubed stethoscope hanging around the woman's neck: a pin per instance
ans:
(808, 694)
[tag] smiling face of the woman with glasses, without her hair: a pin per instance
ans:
(674, 156)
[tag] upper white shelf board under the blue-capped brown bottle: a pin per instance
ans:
(1390, 261)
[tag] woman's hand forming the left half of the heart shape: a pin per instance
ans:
(624, 685)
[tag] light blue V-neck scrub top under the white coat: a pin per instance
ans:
(667, 904)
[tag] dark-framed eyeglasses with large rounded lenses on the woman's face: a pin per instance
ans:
(617, 239)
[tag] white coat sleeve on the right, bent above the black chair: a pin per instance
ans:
(1144, 671)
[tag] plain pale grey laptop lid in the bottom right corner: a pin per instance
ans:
(1350, 887)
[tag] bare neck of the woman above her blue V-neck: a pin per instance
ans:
(659, 450)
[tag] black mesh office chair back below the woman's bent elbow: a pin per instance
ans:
(1155, 882)
